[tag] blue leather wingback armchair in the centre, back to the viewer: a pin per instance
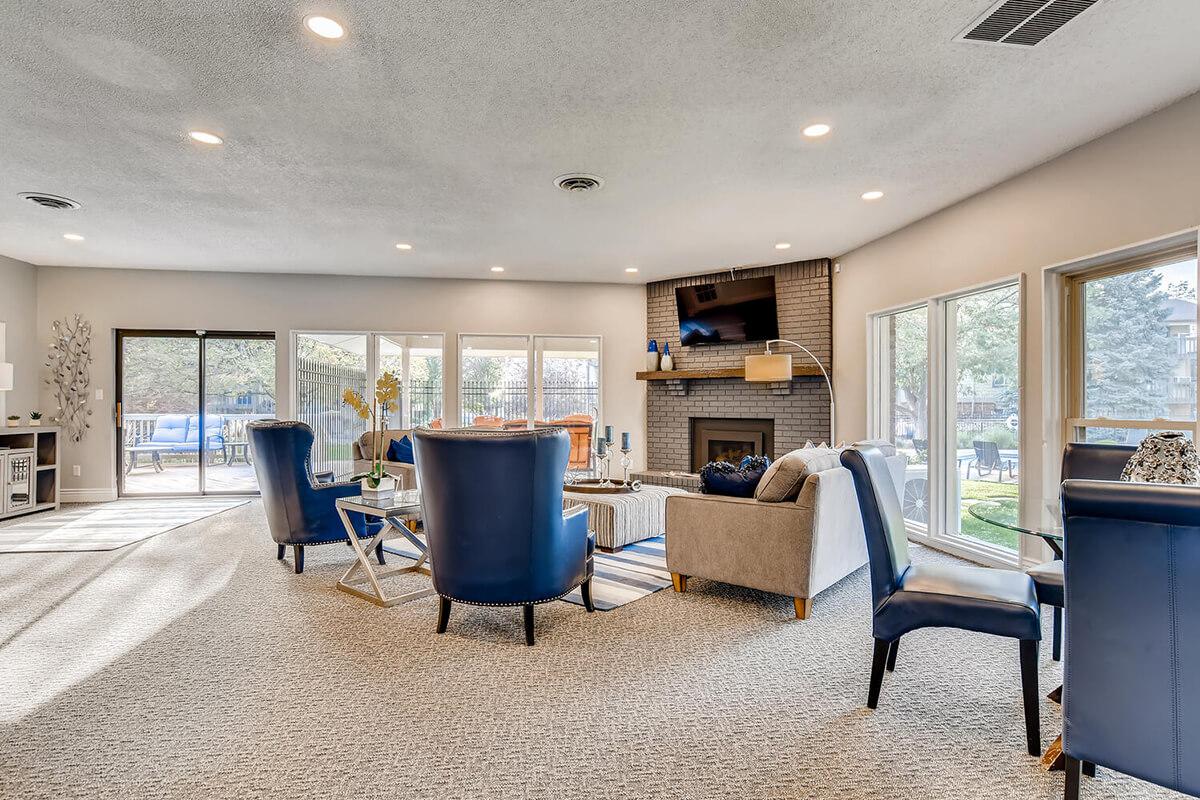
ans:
(493, 503)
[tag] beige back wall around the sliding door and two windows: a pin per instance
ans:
(134, 299)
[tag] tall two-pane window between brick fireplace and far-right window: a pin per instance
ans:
(946, 392)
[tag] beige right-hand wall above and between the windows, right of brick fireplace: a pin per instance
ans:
(1136, 184)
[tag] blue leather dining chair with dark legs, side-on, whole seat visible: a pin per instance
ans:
(908, 597)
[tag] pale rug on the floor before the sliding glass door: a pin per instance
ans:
(110, 526)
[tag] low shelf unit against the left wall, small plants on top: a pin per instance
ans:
(29, 471)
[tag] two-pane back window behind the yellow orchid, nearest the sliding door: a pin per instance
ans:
(329, 364)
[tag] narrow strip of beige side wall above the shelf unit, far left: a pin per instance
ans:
(20, 346)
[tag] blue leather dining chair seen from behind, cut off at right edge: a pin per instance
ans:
(1132, 693)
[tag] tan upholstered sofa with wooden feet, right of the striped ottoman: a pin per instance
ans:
(795, 548)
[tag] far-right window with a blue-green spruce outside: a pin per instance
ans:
(1133, 350)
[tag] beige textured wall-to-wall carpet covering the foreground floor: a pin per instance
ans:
(194, 665)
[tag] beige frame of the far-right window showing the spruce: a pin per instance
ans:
(1076, 423)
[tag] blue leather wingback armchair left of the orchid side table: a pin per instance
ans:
(301, 510)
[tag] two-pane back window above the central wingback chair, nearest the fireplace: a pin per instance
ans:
(517, 381)
